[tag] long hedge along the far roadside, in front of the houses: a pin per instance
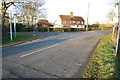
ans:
(25, 28)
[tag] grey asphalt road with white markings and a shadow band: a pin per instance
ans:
(57, 56)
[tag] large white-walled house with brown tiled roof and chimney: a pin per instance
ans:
(69, 21)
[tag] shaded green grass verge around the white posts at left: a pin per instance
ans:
(21, 38)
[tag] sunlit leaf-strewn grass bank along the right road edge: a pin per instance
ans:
(104, 63)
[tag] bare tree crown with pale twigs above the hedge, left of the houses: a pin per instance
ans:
(31, 11)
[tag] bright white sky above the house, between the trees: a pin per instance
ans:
(97, 12)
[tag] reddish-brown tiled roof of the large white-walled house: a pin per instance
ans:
(74, 18)
